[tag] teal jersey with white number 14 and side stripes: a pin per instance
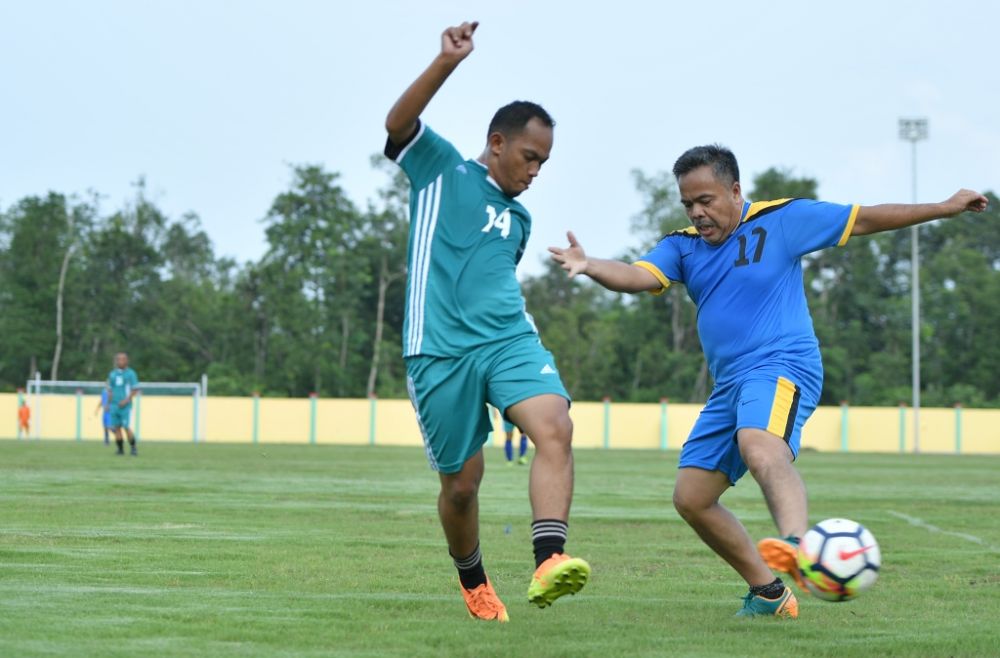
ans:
(466, 239)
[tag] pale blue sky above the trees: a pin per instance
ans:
(213, 101)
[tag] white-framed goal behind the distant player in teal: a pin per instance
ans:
(63, 409)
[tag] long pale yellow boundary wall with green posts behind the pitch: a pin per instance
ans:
(392, 422)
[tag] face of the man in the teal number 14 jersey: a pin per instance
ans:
(518, 158)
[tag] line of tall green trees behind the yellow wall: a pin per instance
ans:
(322, 310)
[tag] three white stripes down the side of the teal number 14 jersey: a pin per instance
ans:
(428, 205)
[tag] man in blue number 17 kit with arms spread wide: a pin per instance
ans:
(741, 265)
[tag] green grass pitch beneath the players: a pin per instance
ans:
(321, 551)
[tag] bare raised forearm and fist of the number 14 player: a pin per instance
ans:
(456, 44)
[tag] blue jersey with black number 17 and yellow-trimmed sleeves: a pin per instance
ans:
(749, 291)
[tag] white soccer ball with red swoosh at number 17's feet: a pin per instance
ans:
(839, 559)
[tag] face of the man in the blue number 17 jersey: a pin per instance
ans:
(713, 206)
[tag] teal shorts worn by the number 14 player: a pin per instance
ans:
(450, 394)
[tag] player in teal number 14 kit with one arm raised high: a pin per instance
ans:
(467, 339)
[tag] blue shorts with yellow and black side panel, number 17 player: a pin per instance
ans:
(772, 399)
